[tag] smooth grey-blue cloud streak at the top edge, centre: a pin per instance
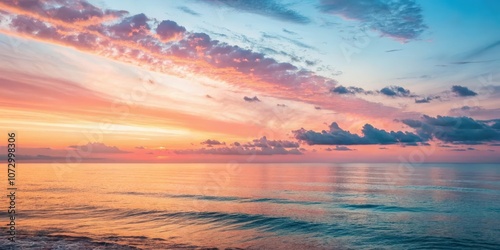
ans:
(270, 8)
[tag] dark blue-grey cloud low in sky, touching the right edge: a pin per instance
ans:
(460, 130)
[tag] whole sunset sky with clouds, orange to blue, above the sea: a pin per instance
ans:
(251, 81)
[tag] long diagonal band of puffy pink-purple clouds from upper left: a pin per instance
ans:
(137, 40)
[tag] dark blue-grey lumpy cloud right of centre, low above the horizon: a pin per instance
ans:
(371, 135)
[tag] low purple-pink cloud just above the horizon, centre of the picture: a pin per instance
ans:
(261, 146)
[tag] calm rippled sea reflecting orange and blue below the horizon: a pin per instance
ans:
(257, 206)
